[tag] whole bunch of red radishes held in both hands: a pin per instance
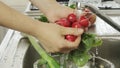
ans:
(74, 21)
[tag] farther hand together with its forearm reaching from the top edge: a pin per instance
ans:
(52, 9)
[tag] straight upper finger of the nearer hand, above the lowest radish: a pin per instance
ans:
(72, 31)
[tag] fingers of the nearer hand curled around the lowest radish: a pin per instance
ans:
(68, 45)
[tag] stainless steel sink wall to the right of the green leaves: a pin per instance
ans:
(110, 50)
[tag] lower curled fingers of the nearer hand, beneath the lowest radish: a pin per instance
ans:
(65, 46)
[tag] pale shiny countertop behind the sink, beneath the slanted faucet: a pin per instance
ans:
(101, 28)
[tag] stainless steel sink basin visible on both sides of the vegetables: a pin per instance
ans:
(109, 50)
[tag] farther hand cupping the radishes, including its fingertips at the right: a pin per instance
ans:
(60, 11)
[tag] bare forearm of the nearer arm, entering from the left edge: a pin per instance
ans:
(15, 20)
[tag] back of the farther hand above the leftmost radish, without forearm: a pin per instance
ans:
(57, 12)
